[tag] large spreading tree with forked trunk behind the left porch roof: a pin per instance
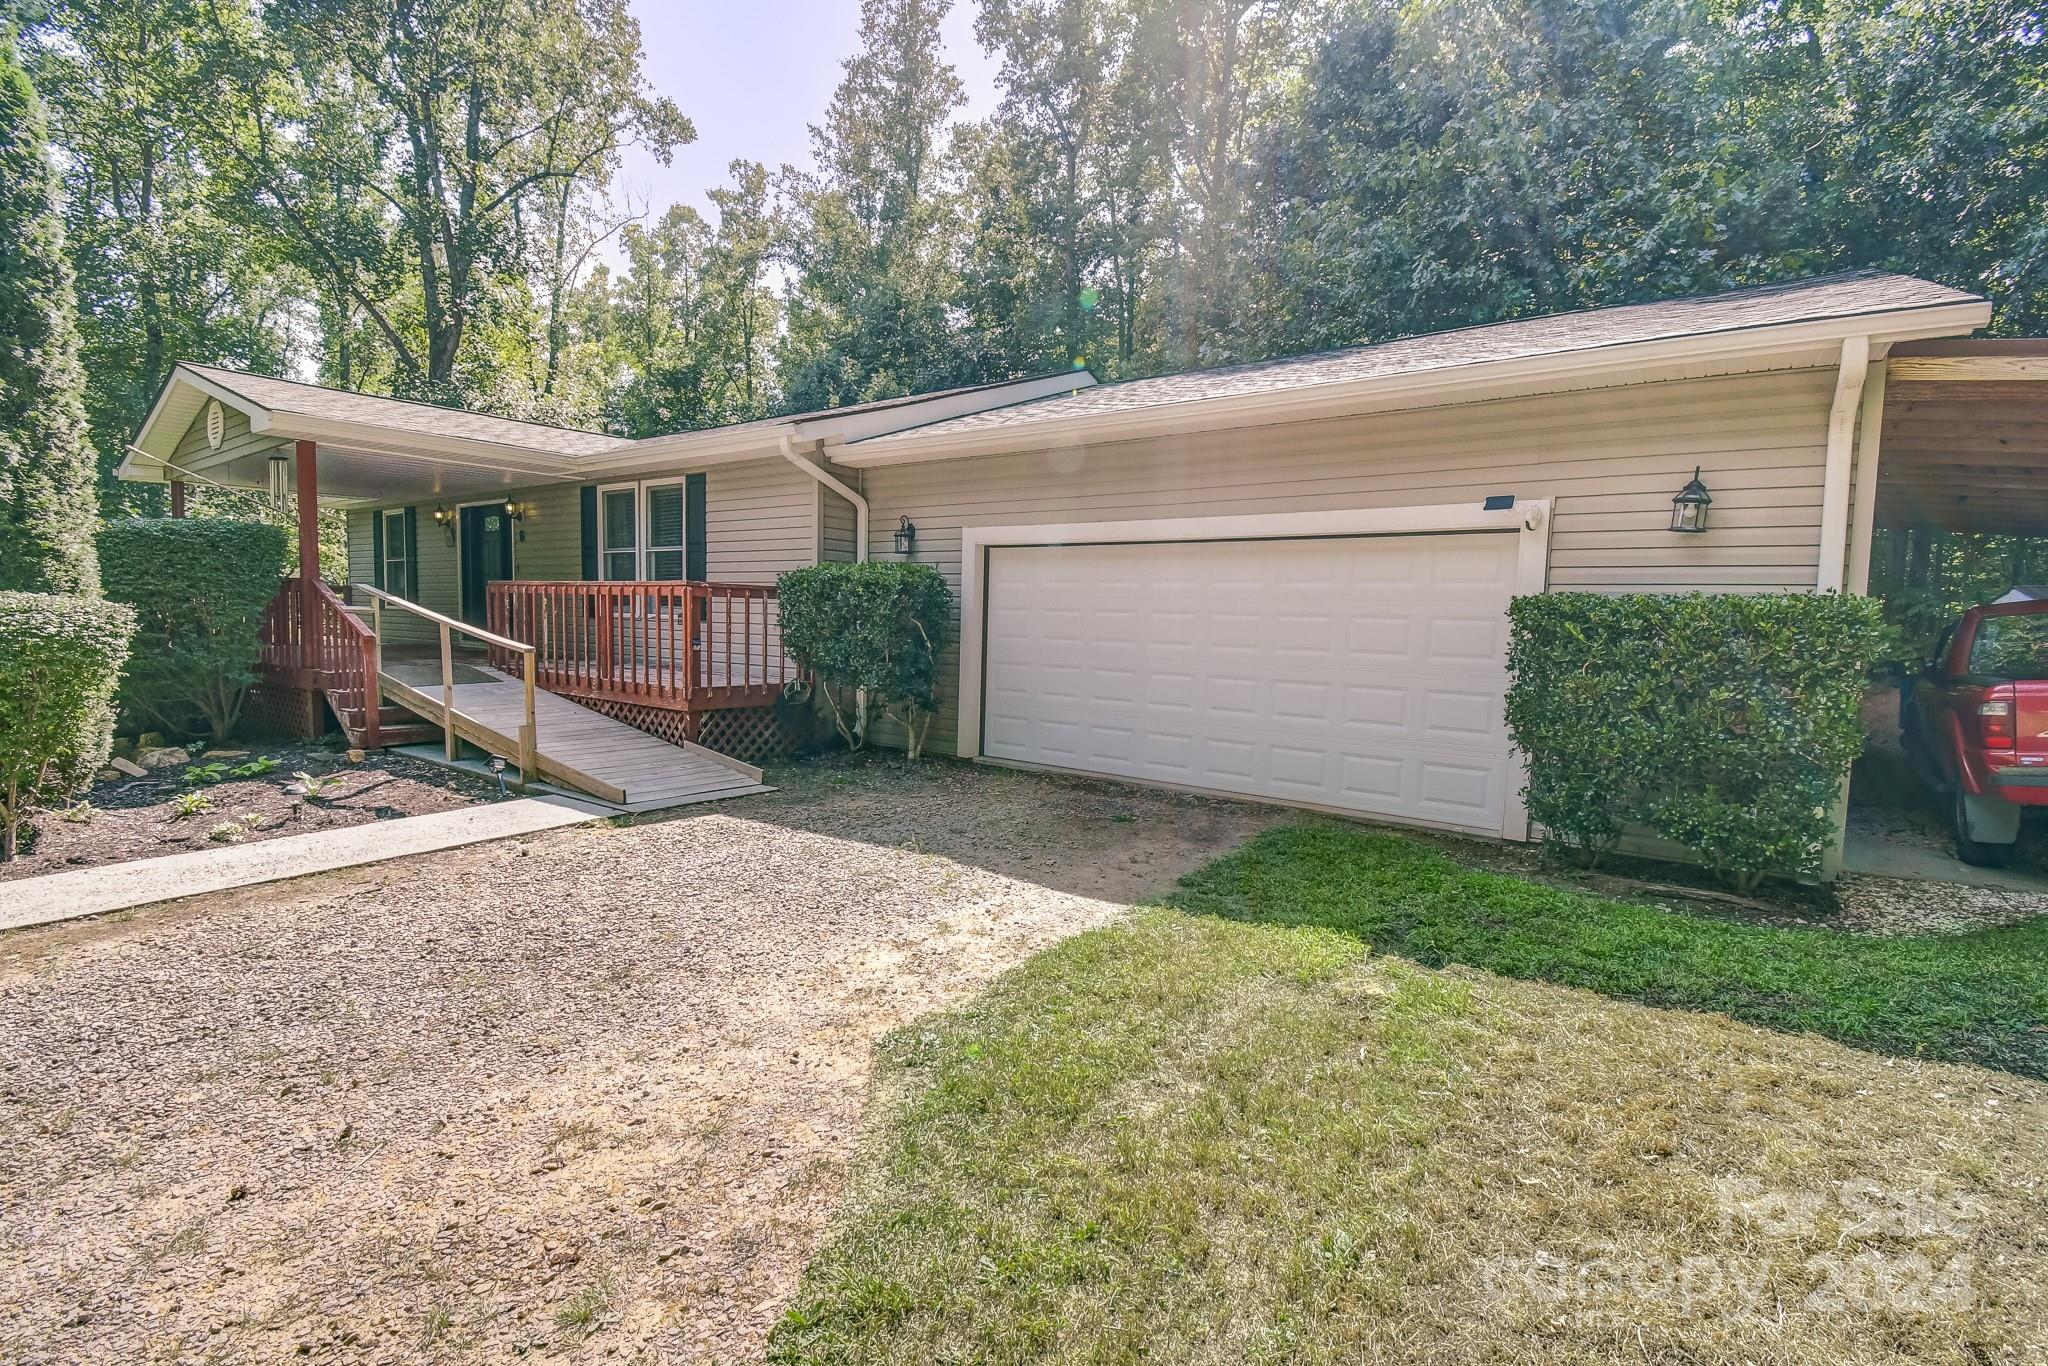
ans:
(394, 144)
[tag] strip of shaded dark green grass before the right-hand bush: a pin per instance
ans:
(1969, 998)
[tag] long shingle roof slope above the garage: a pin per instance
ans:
(1836, 296)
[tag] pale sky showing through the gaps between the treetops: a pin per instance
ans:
(755, 77)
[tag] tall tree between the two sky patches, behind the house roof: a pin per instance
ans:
(871, 234)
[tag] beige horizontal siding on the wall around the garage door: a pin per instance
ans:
(1611, 460)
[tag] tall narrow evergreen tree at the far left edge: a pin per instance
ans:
(46, 464)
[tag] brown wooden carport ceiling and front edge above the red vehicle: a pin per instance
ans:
(1965, 437)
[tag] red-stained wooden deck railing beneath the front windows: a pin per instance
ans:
(665, 644)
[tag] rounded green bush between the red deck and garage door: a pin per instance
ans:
(871, 628)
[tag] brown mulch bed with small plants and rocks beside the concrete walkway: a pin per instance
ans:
(140, 818)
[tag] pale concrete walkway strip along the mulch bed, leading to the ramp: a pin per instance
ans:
(146, 882)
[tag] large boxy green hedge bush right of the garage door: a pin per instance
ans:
(1723, 722)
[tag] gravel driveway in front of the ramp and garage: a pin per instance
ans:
(583, 1097)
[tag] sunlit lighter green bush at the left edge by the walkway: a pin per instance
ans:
(60, 665)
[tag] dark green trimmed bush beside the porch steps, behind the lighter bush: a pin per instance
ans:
(200, 589)
